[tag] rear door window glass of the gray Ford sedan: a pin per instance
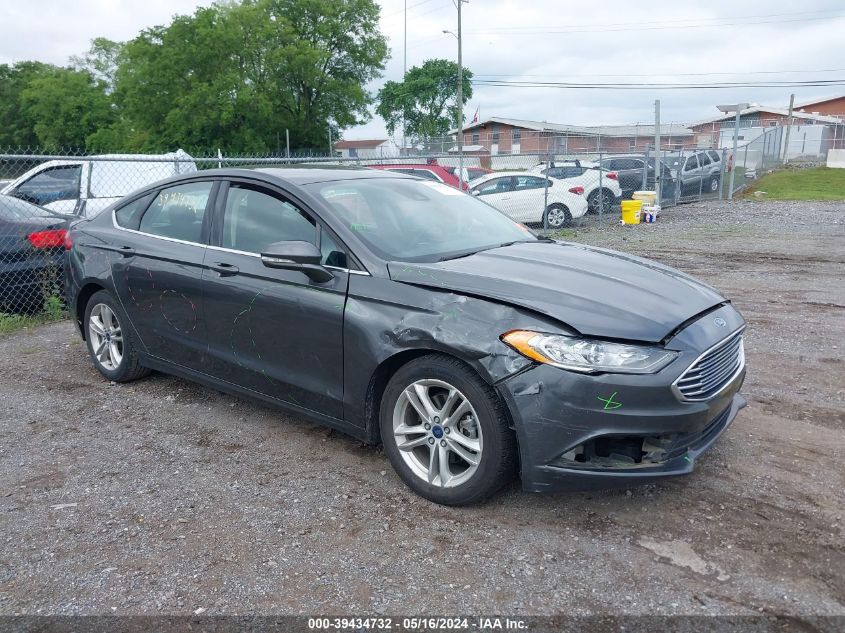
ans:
(178, 212)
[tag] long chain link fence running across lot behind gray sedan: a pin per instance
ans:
(550, 183)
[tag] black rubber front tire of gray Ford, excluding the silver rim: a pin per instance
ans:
(497, 464)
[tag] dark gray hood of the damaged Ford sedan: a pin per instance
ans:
(598, 292)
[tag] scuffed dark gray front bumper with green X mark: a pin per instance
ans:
(579, 431)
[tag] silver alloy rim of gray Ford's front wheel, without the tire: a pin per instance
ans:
(437, 433)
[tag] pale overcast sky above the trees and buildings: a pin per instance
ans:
(536, 40)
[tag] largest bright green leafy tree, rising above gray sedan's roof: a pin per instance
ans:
(236, 75)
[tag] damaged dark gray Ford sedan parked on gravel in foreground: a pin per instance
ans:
(406, 313)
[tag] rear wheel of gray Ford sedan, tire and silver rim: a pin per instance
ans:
(110, 343)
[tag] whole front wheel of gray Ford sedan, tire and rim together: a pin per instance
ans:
(446, 432)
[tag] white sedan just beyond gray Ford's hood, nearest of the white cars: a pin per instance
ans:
(531, 198)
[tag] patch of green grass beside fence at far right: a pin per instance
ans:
(817, 183)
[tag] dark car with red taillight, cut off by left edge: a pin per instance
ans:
(32, 251)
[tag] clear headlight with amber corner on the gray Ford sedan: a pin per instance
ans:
(587, 355)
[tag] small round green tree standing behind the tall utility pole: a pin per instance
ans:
(426, 100)
